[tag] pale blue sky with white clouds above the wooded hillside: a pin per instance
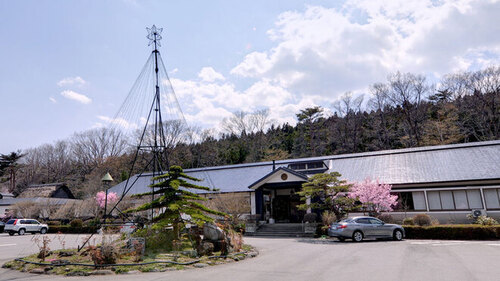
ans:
(67, 66)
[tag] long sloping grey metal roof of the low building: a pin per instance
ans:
(457, 162)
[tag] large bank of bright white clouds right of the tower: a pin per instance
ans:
(320, 53)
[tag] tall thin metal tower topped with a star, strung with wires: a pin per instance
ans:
(156, 116)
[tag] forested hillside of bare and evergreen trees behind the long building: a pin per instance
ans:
(404, 111)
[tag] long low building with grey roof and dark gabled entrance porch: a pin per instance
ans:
(446, 182)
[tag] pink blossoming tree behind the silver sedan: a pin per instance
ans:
(374, 195)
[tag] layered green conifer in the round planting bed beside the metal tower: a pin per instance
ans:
(175, 200)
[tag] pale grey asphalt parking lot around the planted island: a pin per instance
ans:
(317, 259)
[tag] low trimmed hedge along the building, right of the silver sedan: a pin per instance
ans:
(453, 232)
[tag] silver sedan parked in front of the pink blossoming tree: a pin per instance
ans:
(359, 228)
